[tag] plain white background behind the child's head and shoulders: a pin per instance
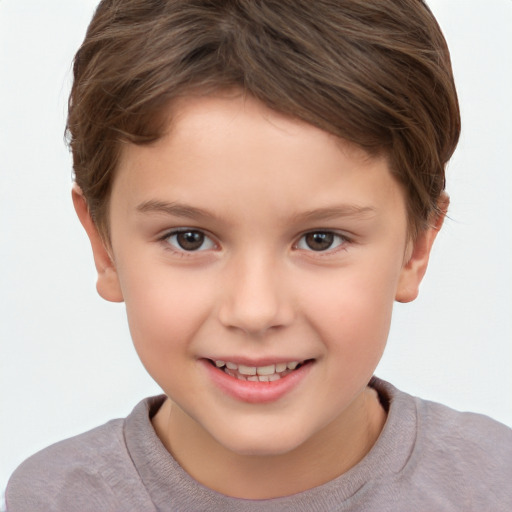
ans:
(66, 361)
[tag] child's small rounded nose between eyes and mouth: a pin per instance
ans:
(255, 297)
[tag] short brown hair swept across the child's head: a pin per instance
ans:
(376, 73)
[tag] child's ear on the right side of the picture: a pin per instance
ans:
(418, 255)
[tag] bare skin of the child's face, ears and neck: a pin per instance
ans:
(255, 290)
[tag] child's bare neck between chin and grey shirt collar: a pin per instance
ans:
(331, 452)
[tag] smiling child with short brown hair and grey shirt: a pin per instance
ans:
(260, 181)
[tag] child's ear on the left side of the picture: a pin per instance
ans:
(108, 285)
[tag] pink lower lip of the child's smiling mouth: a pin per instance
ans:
(256, 392)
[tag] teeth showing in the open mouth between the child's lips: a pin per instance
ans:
(267, 373)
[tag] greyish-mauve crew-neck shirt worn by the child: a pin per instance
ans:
(427, 458)
